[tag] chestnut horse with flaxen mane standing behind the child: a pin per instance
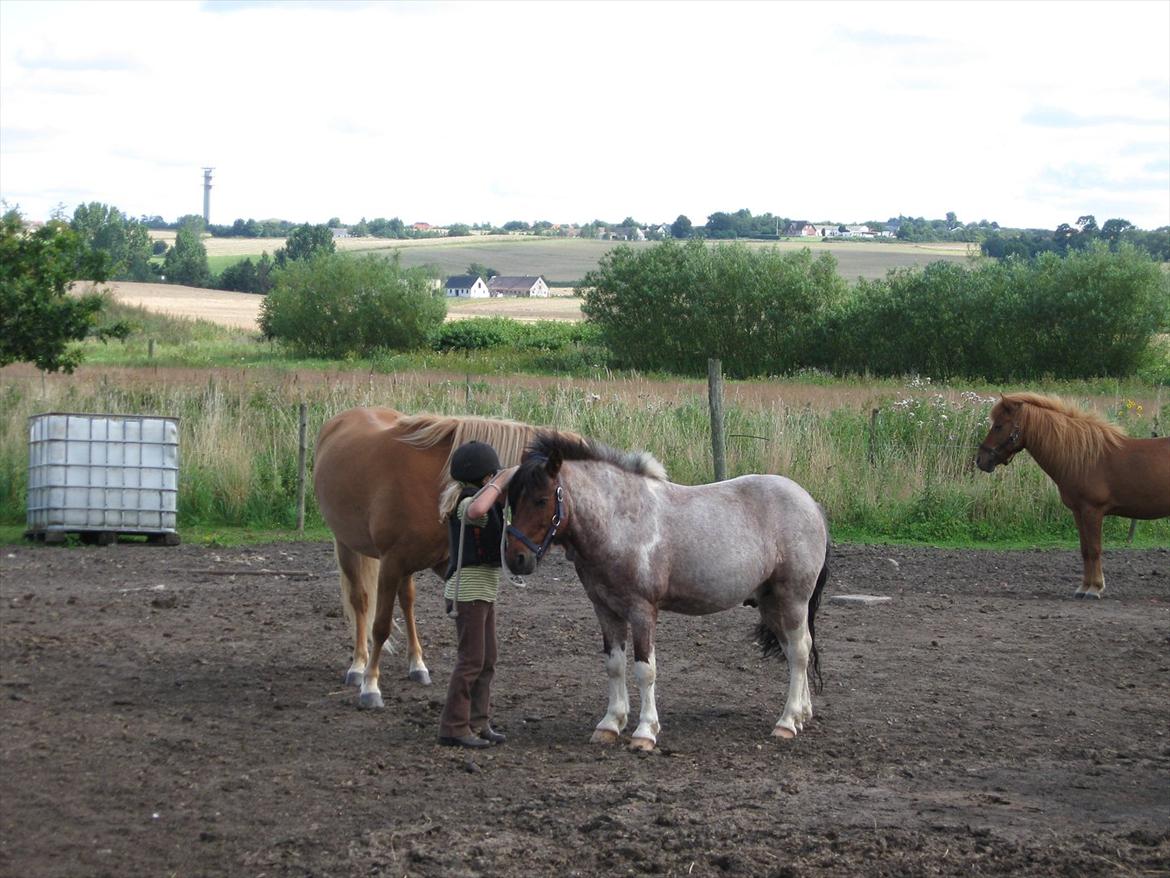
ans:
(378, 476)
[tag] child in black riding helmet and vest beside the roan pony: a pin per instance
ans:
(473, 507)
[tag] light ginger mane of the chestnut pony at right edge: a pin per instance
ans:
(1071, 438)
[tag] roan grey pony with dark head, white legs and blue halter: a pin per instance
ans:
(642, 544)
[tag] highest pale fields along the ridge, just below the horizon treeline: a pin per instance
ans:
(563, 262)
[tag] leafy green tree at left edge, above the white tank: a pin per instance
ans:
(40, 323)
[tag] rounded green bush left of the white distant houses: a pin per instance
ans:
(340, 306)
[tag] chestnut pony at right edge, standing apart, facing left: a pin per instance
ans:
(1098, 469)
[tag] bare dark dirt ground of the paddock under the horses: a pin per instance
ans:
(180, 712)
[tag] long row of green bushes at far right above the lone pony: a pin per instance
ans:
(1092, 313)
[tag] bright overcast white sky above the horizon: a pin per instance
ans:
(1029, 114)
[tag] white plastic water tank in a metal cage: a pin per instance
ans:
(105, 474)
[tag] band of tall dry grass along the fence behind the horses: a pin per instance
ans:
(893, 464)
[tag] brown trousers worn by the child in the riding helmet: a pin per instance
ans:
(470, 692)
